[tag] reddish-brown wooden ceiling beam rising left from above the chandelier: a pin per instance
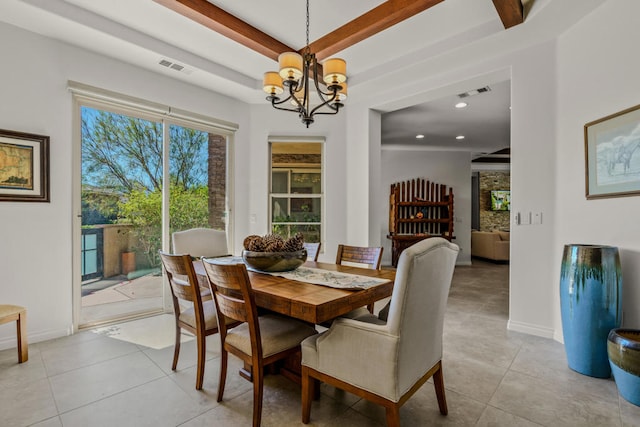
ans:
(228, 25)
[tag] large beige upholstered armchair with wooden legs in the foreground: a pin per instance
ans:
(386, 362)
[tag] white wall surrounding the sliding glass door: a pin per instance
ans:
(36, 238)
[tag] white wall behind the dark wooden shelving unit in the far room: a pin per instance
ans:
(452, 168)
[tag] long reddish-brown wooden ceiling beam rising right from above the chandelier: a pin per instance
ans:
(376, 20)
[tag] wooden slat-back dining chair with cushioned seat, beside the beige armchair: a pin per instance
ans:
(258, 341)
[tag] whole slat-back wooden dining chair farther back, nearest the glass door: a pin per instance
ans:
(191, 312)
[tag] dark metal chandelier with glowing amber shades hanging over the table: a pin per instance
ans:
(296, 72)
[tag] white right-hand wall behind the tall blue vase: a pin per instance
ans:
(598, 75)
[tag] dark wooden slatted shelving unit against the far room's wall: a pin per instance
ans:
(418, 209)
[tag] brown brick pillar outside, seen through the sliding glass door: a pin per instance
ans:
(217, 180)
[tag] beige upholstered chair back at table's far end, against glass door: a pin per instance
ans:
(200, 242)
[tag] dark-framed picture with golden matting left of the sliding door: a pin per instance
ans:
(24, 167)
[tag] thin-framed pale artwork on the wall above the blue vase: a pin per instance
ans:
(612, 155)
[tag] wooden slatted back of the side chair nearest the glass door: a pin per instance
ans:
(179, 267)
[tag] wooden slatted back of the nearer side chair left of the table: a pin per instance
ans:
(232, 292)
